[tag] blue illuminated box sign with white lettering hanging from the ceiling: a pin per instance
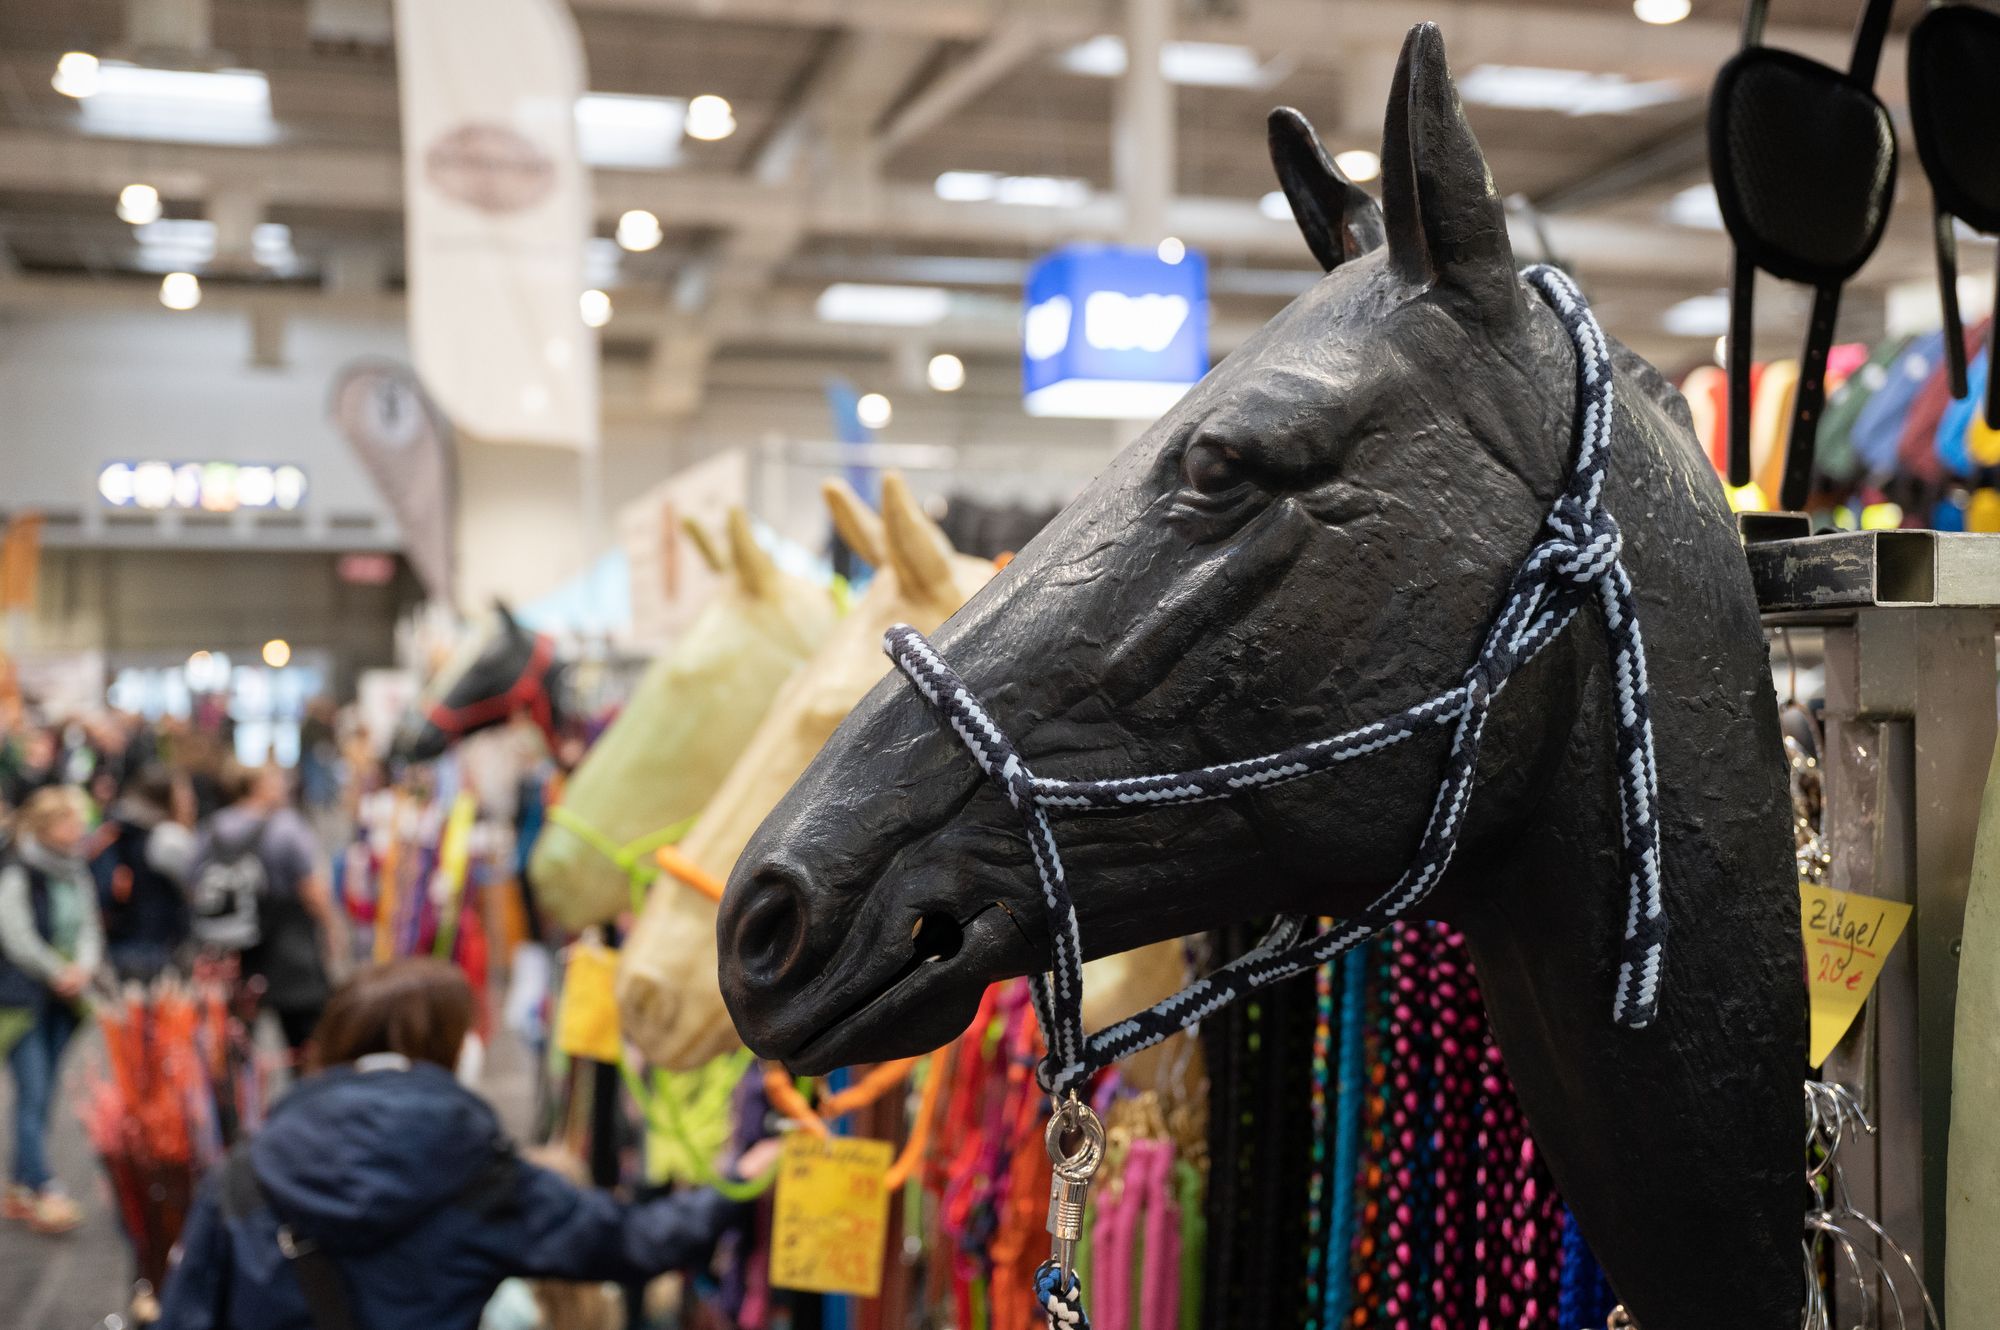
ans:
(1113, 333)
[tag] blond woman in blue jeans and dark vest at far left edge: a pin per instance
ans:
(51, 947)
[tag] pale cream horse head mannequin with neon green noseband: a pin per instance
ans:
(687, 723)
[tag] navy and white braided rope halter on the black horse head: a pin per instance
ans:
(1577, 555)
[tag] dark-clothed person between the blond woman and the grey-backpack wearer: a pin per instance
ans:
(143, 859)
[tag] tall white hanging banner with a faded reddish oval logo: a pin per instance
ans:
(499, 211)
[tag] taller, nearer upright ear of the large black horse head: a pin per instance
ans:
(1439, 203)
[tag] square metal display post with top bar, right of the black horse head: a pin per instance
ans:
(1909, 641)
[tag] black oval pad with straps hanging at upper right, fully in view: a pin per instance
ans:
(1805, 165)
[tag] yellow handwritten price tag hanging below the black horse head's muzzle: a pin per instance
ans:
(831, 1225)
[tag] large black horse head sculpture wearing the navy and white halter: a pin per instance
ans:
(1317, 537)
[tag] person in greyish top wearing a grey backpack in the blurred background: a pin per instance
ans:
(259, 893)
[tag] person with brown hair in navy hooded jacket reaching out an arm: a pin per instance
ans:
(385, 1197)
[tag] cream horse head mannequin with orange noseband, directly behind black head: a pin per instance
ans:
(669, 1001)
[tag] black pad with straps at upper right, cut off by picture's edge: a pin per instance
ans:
(1955, 71)
